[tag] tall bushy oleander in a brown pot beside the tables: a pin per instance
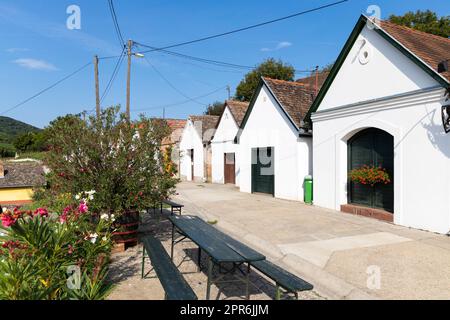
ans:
(121, 160)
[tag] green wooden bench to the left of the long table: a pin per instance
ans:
(173, 282)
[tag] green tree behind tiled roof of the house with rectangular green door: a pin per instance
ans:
(270, 68)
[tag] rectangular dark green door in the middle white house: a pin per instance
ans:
(263, 170)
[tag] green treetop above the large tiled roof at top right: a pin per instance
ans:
(426, 21)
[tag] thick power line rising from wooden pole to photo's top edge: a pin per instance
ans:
(247, 28)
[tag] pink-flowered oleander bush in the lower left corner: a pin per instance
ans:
(54, 256)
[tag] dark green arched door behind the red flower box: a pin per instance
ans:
(372, 147)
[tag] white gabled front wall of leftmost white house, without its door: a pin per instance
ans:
(191, 140)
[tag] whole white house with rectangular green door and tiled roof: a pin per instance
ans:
(275, 156)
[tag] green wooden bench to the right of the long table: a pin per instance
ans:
(284, 279)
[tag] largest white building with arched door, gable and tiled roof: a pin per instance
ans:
(382, 105)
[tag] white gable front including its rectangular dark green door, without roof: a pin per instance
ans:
(289, 160)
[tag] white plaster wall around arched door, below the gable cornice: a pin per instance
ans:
(421, 160)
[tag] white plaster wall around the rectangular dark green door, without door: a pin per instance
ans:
(267, 126)
